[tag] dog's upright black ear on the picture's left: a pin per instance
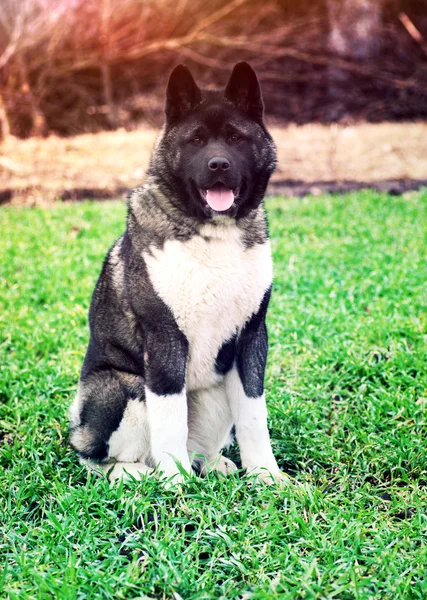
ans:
(182, 93)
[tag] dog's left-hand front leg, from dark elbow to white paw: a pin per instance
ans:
(165, 363)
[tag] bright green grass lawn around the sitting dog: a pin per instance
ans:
(346, 388)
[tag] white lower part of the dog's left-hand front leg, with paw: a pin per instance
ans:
(167, 417)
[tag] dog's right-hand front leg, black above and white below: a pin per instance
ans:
(245, 390)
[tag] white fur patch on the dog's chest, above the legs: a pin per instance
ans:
(213, 285)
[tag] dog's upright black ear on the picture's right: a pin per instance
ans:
(244, 91)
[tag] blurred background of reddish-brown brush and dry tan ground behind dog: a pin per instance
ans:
(82, 88)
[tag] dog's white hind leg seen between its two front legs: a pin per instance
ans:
(210, 426)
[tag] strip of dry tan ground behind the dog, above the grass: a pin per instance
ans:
(311, 157)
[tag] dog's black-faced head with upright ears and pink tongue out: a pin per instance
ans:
(215, 153)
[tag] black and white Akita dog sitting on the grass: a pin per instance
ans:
(178, 341)
